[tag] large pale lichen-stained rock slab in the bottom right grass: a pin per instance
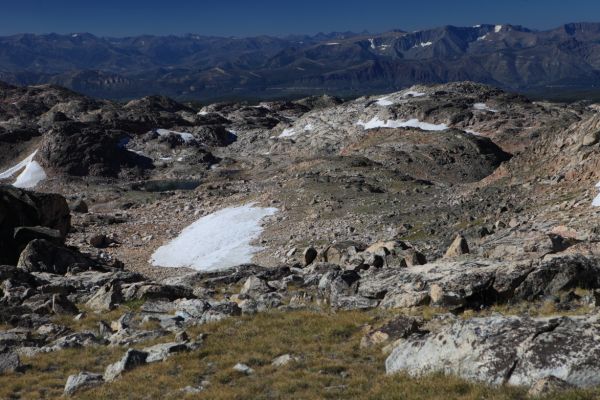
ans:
(513, 350)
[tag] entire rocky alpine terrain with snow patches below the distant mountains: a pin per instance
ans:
(439, 240)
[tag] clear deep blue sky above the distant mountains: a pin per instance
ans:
(279, 17)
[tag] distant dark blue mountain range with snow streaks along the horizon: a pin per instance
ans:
(208, 68)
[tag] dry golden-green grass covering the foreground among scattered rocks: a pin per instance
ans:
(332, 366)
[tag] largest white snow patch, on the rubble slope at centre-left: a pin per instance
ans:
(217, 241)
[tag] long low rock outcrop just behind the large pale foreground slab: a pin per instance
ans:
(467, 283)
